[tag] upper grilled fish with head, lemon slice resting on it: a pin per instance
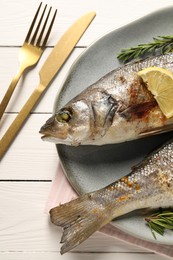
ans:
(117, 108)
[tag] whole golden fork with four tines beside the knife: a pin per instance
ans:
(30, 52)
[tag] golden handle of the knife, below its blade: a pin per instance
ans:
(19, 120)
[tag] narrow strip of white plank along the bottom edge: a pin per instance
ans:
(84, 256)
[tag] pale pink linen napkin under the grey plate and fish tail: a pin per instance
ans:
(61, 192)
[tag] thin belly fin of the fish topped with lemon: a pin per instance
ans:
(157, 130)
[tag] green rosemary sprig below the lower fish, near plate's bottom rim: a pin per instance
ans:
(160, 221)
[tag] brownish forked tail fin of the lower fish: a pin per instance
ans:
(79, 219)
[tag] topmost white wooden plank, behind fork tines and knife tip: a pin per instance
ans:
(15, 17)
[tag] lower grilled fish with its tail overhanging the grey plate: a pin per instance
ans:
(149, 185)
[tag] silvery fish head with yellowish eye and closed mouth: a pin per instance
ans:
(70, 125)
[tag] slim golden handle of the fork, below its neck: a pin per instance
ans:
(10, 91)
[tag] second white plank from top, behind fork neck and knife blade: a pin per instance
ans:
(29, 82)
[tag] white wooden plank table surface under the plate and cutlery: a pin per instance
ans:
(27, 169)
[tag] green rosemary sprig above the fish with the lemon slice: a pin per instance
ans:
(161, 45)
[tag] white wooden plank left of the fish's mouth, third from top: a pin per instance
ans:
(29, 158)
